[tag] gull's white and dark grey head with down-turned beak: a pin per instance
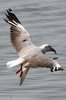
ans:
(47, 48)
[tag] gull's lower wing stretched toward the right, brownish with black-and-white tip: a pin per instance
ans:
(41, 60)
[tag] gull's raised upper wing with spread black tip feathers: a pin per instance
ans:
(20, 38)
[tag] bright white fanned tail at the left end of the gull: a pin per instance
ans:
(14, 63)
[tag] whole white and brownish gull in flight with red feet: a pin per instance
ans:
(30, 56)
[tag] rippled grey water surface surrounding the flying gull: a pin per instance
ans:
(45, 20)
